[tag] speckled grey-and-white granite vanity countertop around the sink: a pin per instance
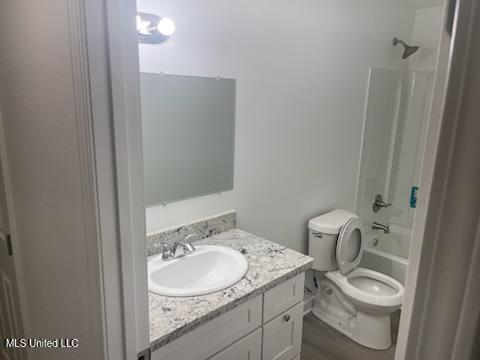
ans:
(269, 265)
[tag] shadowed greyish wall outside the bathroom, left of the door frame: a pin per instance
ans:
(37, 99)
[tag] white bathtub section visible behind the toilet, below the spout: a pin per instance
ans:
(388, 253)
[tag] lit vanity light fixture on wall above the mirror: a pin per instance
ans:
(153, 29)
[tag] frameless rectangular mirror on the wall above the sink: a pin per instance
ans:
(188, 136)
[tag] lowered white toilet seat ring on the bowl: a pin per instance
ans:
(372, 278)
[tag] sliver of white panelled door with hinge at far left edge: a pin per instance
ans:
(10, 320)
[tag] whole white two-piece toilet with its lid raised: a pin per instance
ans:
(354, 300)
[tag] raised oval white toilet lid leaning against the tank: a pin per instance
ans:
(350, 246)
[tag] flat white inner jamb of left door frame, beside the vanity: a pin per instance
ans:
(125, 96)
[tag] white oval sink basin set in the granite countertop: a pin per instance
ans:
(208, 269)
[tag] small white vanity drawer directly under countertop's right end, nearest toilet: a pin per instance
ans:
(283, 297)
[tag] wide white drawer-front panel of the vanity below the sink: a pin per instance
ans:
(215, 335)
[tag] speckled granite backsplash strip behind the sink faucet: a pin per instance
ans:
(205, 227)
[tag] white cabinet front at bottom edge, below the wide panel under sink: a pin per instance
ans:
(248, 348)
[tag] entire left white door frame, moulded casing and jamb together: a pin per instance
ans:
(111, 45)
